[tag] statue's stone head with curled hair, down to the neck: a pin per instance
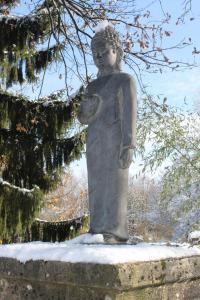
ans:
(107, 50)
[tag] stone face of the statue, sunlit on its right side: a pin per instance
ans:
(104, 56)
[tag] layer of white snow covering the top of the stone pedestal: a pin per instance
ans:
(89, 248)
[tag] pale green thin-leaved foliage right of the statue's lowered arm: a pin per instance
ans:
(172, 135)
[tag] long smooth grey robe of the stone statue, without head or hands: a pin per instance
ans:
(110, 130)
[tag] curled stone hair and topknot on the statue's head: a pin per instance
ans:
(111, 36)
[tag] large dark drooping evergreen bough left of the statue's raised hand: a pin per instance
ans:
(36, 144)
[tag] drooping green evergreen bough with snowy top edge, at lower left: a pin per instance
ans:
(18, 209)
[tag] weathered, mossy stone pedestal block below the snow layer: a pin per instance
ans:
(157, 280)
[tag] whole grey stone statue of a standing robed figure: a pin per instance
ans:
(109, 109)
